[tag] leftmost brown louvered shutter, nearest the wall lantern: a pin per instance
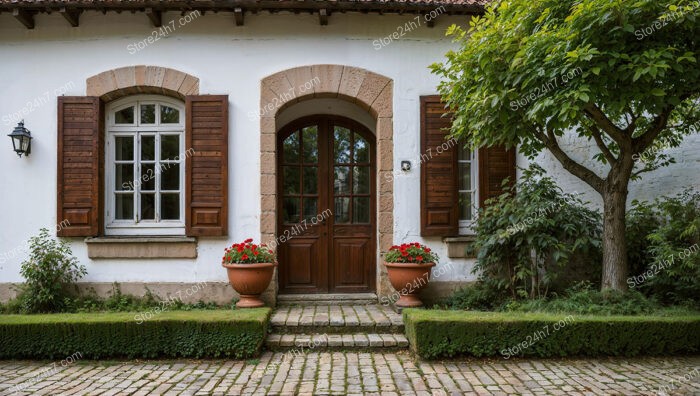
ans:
(80, 165)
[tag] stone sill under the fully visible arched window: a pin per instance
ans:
(141, 248)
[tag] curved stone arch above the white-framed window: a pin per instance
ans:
(130, 80)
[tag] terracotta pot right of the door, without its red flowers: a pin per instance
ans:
(408, 280)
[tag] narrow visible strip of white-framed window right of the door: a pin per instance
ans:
(467, 188)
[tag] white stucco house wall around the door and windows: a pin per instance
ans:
(228, 60)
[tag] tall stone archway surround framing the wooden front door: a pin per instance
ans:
(369, 90)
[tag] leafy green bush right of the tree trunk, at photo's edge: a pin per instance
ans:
(671, 262)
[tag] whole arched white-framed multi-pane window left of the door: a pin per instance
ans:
(144, 169)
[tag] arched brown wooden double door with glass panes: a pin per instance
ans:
(326, 206)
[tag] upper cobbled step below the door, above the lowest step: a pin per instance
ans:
(345, 319)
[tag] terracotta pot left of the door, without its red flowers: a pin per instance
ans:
(250, 281)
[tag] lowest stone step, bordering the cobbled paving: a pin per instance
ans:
(300, 343)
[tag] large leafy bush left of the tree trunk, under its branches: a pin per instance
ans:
(531, 234)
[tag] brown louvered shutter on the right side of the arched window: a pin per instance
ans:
(206, 204)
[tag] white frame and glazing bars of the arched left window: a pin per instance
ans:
(137, 227)
